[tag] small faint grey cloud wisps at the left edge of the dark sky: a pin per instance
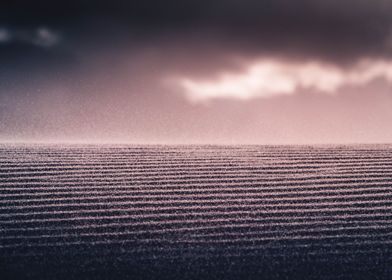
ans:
(40, 37)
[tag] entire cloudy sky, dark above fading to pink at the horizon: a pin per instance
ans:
(196, 72)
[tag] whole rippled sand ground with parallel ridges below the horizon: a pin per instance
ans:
(178, 212)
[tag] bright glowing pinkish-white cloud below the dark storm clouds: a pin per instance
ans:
(268, 78)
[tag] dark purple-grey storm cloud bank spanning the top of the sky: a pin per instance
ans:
(46, 37)
